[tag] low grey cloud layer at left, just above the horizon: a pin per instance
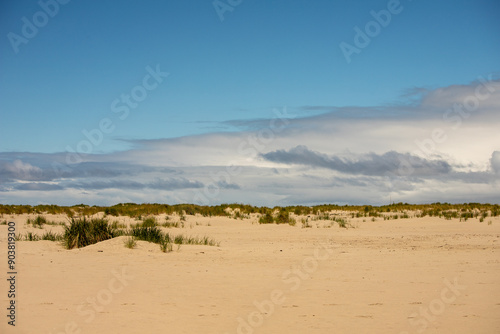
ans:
(35, 172)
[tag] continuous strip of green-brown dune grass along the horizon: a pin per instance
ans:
(465, 211)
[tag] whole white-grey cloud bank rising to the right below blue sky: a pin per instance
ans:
(312, 154)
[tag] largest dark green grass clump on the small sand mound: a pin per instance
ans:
(84, 232)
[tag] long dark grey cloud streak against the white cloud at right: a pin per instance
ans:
(367, 164)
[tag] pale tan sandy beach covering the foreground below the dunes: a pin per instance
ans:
(417, 275)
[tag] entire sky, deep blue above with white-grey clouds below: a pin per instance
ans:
(227, 80)
